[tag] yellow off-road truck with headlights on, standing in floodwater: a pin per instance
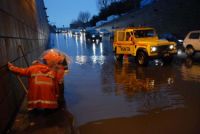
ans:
(142, 43)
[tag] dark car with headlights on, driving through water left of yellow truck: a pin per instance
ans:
(93, 35)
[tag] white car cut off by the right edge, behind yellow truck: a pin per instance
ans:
(191, 42)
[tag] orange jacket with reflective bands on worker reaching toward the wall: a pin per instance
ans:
(42, 85)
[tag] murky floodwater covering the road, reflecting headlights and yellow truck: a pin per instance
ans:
(108, 97)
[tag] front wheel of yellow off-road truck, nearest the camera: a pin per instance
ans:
(142, 58)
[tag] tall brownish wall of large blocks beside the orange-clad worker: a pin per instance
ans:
(22, 22)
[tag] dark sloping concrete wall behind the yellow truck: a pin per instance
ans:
(167, 16)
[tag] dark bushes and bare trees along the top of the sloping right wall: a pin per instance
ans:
(106, 8)
